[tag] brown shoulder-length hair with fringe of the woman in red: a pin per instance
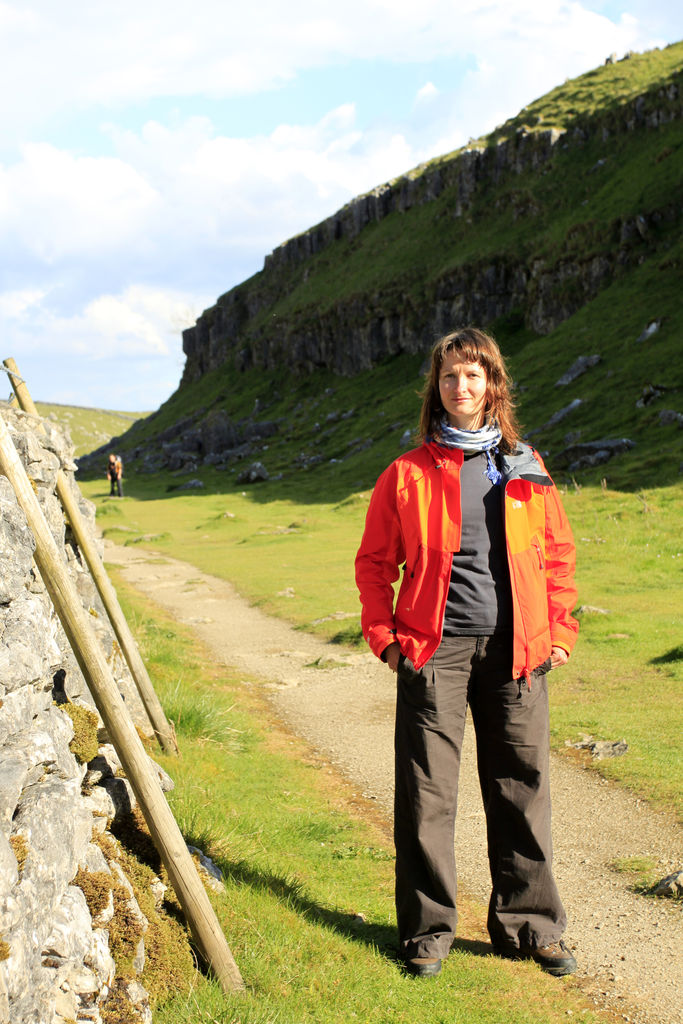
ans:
(473, 346)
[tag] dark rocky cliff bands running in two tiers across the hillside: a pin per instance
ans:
(357, 332)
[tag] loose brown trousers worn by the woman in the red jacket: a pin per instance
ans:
(513, 739)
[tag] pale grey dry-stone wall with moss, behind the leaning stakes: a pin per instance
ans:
(58, 798)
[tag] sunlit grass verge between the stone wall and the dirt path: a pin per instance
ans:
(309, 903)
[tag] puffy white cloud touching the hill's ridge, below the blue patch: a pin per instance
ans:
(253, 193)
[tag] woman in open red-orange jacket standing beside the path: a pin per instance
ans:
(483, 613)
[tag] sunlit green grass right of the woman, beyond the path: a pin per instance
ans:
(626, 678)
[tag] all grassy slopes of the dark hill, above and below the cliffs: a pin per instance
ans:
(611, 197)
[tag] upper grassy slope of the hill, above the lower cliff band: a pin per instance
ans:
(606, 172)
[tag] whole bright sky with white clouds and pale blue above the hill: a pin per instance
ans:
(153, 154)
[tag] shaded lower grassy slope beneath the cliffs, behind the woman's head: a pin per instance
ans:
(338, 434)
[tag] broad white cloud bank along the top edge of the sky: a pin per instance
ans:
(59, 60)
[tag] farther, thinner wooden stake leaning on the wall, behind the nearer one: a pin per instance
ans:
(163, 731)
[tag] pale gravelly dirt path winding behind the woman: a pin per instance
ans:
(628, 948)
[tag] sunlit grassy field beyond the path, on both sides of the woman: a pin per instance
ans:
(296, 562)
